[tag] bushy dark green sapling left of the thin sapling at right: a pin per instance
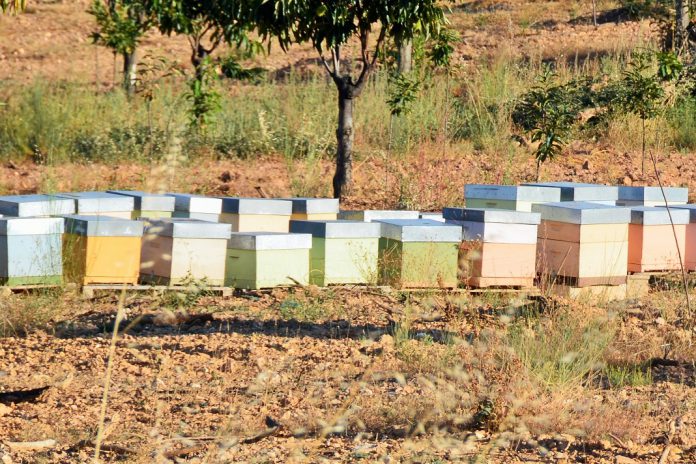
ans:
(548, 112)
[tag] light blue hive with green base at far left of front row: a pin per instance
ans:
(31, 251)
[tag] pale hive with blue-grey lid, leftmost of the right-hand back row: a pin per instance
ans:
(511, 197)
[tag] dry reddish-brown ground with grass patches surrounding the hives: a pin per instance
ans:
(338, 374)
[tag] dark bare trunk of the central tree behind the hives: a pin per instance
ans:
(343, 177)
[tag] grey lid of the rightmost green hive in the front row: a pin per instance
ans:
(419, 230)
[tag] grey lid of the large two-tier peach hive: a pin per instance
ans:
(579, 212)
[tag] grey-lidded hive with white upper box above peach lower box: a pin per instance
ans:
(498, 247)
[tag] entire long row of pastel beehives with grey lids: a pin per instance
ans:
(581, 243)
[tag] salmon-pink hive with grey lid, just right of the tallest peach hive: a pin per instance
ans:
(651, 239)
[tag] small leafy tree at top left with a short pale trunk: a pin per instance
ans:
(122, 24)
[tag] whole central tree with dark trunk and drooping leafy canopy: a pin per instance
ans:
(329, 26)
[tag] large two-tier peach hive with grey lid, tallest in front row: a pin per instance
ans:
(583, 244)
